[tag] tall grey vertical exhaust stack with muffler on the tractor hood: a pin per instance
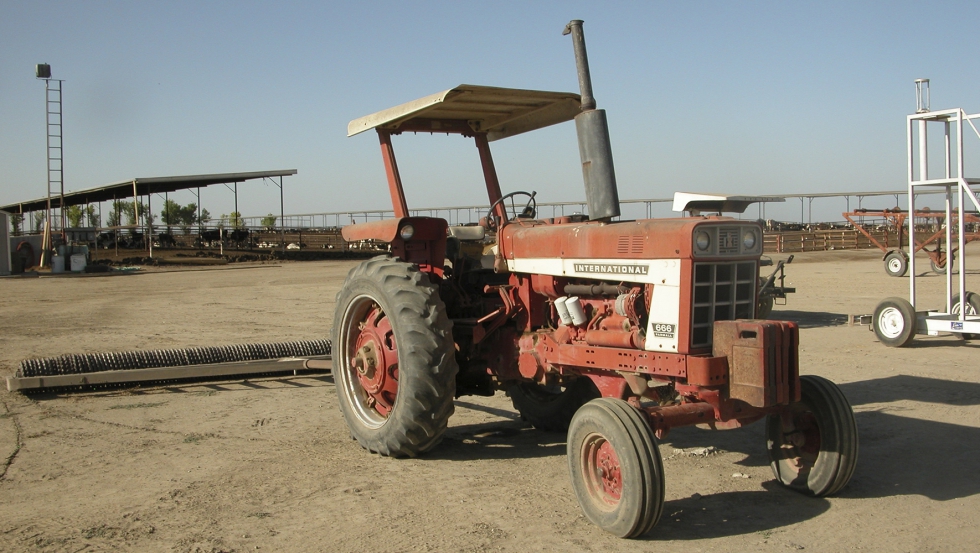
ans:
(593, 138)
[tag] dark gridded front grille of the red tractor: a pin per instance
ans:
(722, 292)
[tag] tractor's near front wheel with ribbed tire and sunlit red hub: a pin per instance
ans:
(616, 468)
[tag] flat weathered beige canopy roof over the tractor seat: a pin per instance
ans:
(468, 109)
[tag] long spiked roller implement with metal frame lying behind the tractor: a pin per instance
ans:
(170, 364)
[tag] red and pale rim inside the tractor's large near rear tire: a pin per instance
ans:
(370, 361)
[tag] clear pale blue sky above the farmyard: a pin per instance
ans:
(733, 97)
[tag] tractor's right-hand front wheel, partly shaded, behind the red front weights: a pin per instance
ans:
(813, 444)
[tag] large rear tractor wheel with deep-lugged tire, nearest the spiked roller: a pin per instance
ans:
(394, 365)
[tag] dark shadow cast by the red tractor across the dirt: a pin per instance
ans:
(899, 456)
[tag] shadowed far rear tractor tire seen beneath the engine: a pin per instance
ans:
(552, 411)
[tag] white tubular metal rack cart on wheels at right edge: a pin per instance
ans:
(896, 321)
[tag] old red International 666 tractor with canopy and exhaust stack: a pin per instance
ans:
(616, 331)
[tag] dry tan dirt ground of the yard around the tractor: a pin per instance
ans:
(268, 465)
